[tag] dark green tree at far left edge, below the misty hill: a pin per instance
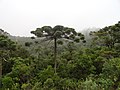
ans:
(6, 48)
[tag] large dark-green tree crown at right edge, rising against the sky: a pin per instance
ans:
(108, 36)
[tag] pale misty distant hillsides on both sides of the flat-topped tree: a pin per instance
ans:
(35, 43)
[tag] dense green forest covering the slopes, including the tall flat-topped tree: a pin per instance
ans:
(60, 58)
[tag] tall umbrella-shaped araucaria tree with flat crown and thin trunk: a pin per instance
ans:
(57, 33)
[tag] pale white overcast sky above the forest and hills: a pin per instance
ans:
(19, 17)
